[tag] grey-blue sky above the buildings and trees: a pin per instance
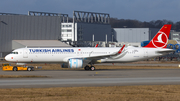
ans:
(142, 10)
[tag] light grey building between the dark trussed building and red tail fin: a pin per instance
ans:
(134, 35)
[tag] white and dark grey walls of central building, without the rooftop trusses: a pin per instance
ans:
(85, 32)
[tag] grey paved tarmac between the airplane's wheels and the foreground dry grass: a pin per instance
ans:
(79, 78)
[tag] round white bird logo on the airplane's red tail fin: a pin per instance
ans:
(160, 40)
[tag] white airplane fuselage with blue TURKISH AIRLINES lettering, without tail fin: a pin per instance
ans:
(60, 55)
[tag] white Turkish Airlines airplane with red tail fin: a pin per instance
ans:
(82, 57)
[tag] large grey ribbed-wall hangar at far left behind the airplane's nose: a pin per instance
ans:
(27, 27)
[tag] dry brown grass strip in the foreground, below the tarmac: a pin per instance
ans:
(112, 93)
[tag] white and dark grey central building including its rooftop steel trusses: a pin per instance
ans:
(89, 26)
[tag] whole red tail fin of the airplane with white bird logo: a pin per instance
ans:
(160, 40)
